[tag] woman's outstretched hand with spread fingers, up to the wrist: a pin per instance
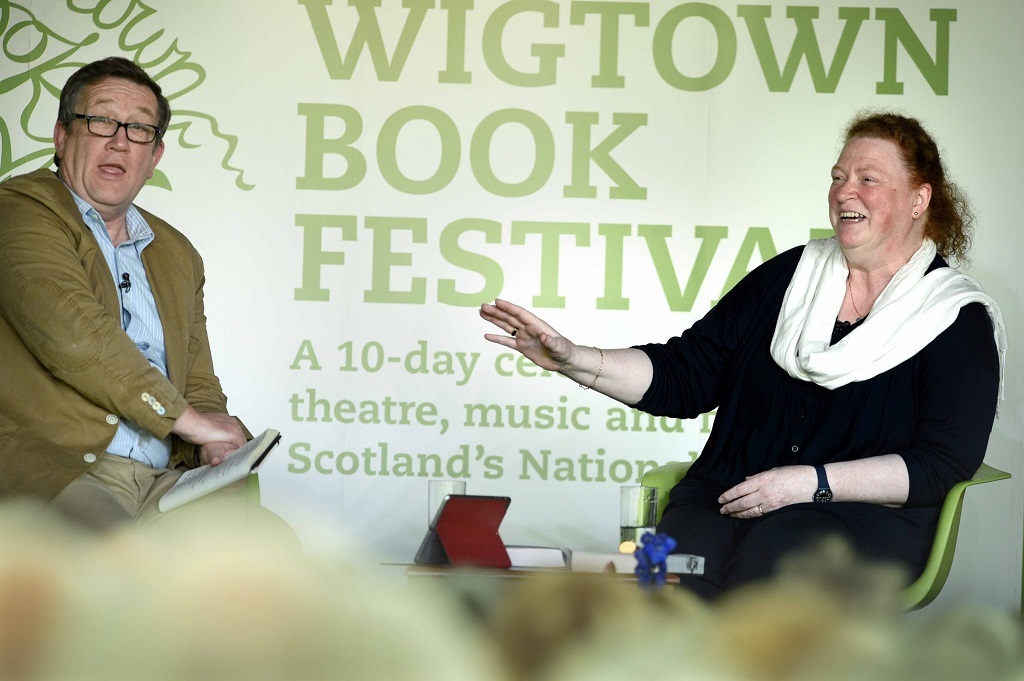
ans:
(529, 334)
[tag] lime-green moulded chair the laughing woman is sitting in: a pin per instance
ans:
(924, 590)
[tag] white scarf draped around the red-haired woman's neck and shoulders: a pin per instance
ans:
(912, 312)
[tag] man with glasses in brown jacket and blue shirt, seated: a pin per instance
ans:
(108, 384)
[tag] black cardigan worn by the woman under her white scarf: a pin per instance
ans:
(935, 410)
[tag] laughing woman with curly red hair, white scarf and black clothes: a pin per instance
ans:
(856, 378)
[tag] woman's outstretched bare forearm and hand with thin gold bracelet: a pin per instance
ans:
(623, 374)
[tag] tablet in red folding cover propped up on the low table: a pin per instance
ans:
(465, 533)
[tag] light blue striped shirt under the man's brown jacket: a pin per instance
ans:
(140, 320)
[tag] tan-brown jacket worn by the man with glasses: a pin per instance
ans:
(68, 371)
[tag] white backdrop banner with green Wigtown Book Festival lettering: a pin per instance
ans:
(361, 177)
